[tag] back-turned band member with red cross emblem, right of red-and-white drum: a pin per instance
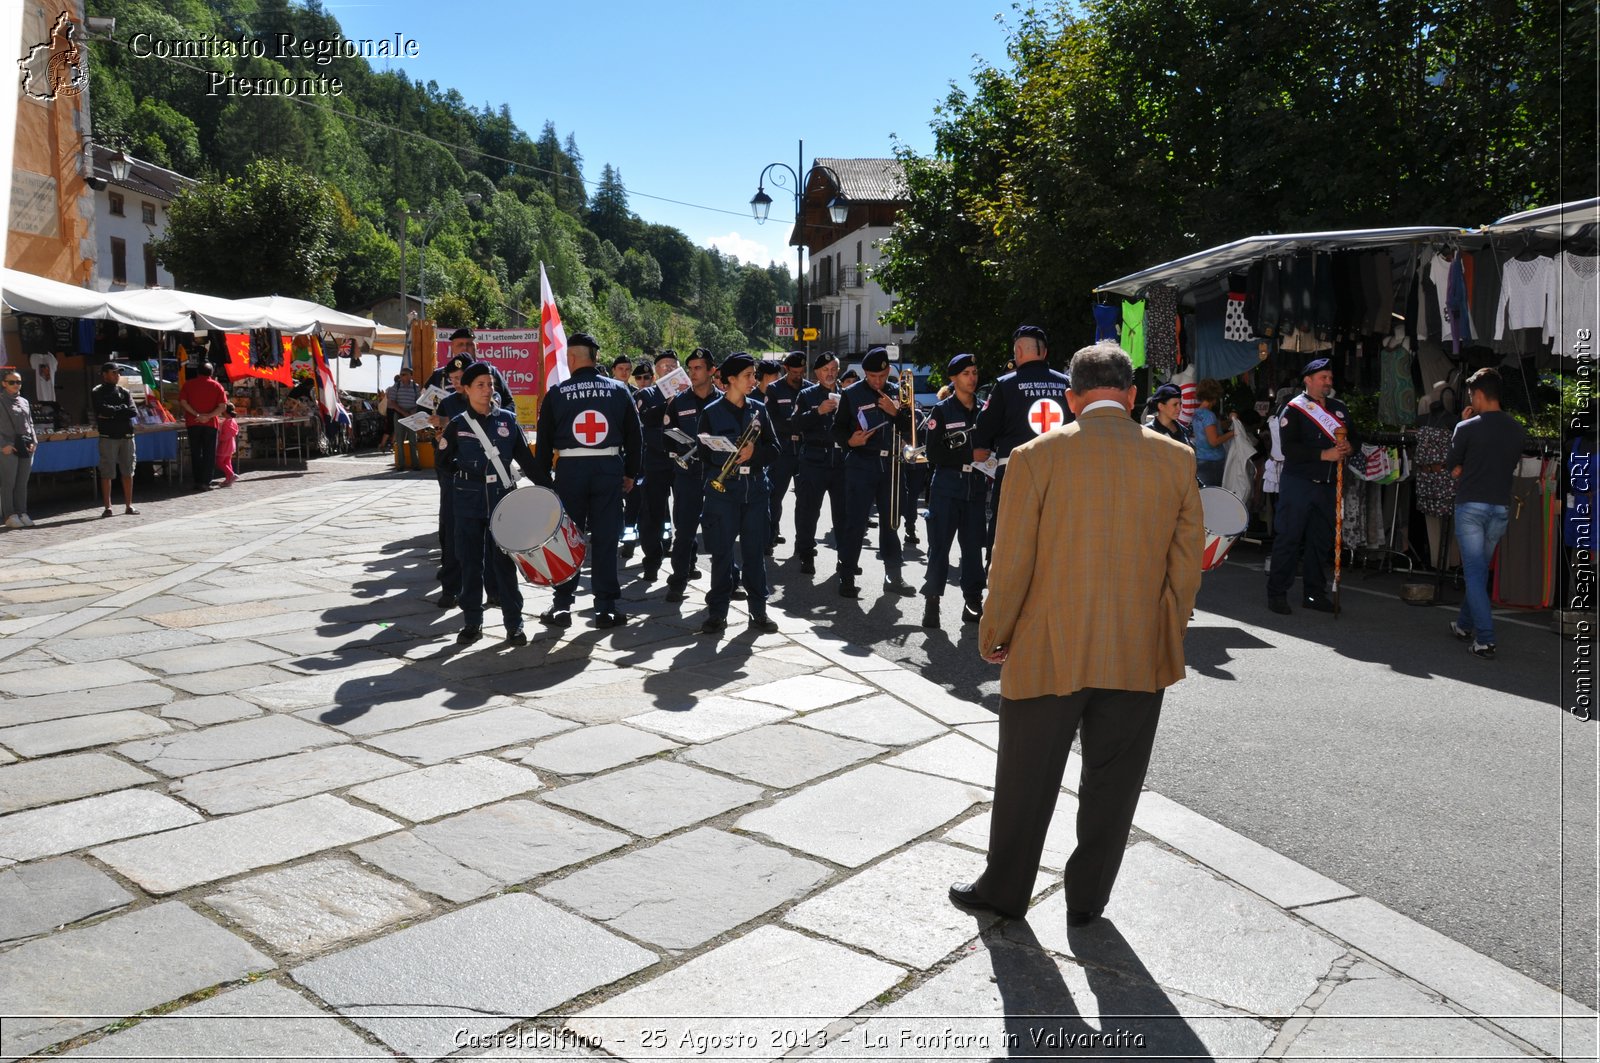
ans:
(590, 420)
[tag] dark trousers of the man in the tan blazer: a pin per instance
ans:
(1036, 737)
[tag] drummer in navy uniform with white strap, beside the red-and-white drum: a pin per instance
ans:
(478, 478)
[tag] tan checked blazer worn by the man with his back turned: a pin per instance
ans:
(1097, 560)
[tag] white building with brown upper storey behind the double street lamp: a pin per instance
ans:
(844, 299)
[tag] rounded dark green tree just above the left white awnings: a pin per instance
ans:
(268, 233)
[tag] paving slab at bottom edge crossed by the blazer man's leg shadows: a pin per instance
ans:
(1015, 1001)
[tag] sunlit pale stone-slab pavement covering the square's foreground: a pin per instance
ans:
(257, 804)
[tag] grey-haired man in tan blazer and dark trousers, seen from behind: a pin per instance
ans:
(1095, 572)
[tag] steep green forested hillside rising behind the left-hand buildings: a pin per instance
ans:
(306, 196)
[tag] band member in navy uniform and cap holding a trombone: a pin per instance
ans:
(866, 422)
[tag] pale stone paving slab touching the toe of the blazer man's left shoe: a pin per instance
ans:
(900, 909)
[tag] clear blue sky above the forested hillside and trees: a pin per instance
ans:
(692, 102)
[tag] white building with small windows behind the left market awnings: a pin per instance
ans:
(130, 214)
